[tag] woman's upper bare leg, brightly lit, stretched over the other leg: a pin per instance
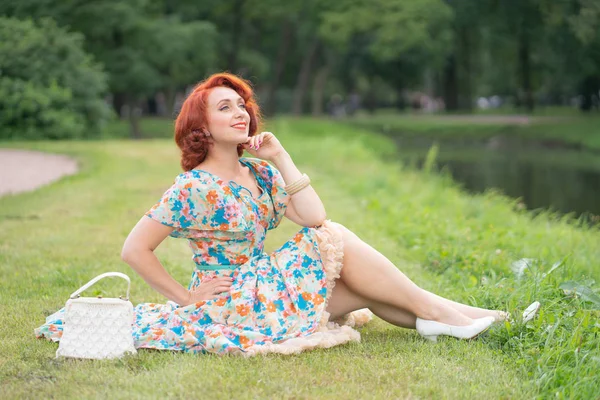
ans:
(373, 277)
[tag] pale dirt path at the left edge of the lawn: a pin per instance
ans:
(25, 170)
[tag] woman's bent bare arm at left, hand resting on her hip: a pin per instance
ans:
(138, 252)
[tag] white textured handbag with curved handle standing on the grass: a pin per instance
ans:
(97, 327)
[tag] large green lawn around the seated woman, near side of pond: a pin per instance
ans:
(460, 246)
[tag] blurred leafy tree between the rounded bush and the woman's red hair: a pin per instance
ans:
(142, 49)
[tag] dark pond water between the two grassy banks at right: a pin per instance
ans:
(558, 179)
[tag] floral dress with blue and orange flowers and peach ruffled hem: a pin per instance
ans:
(277, 300)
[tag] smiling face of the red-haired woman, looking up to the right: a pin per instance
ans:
(228, 120)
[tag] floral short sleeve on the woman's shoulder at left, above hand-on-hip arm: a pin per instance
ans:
(181, 207)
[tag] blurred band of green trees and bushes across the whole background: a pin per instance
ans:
(298, 53)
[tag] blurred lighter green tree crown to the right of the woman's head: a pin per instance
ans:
(392, 40)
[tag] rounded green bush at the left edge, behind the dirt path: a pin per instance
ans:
(49, 87)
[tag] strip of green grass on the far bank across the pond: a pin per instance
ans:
(579, 131)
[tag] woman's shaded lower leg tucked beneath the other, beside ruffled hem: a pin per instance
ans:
(343, 301)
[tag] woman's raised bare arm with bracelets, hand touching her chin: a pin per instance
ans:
(305, 207)
